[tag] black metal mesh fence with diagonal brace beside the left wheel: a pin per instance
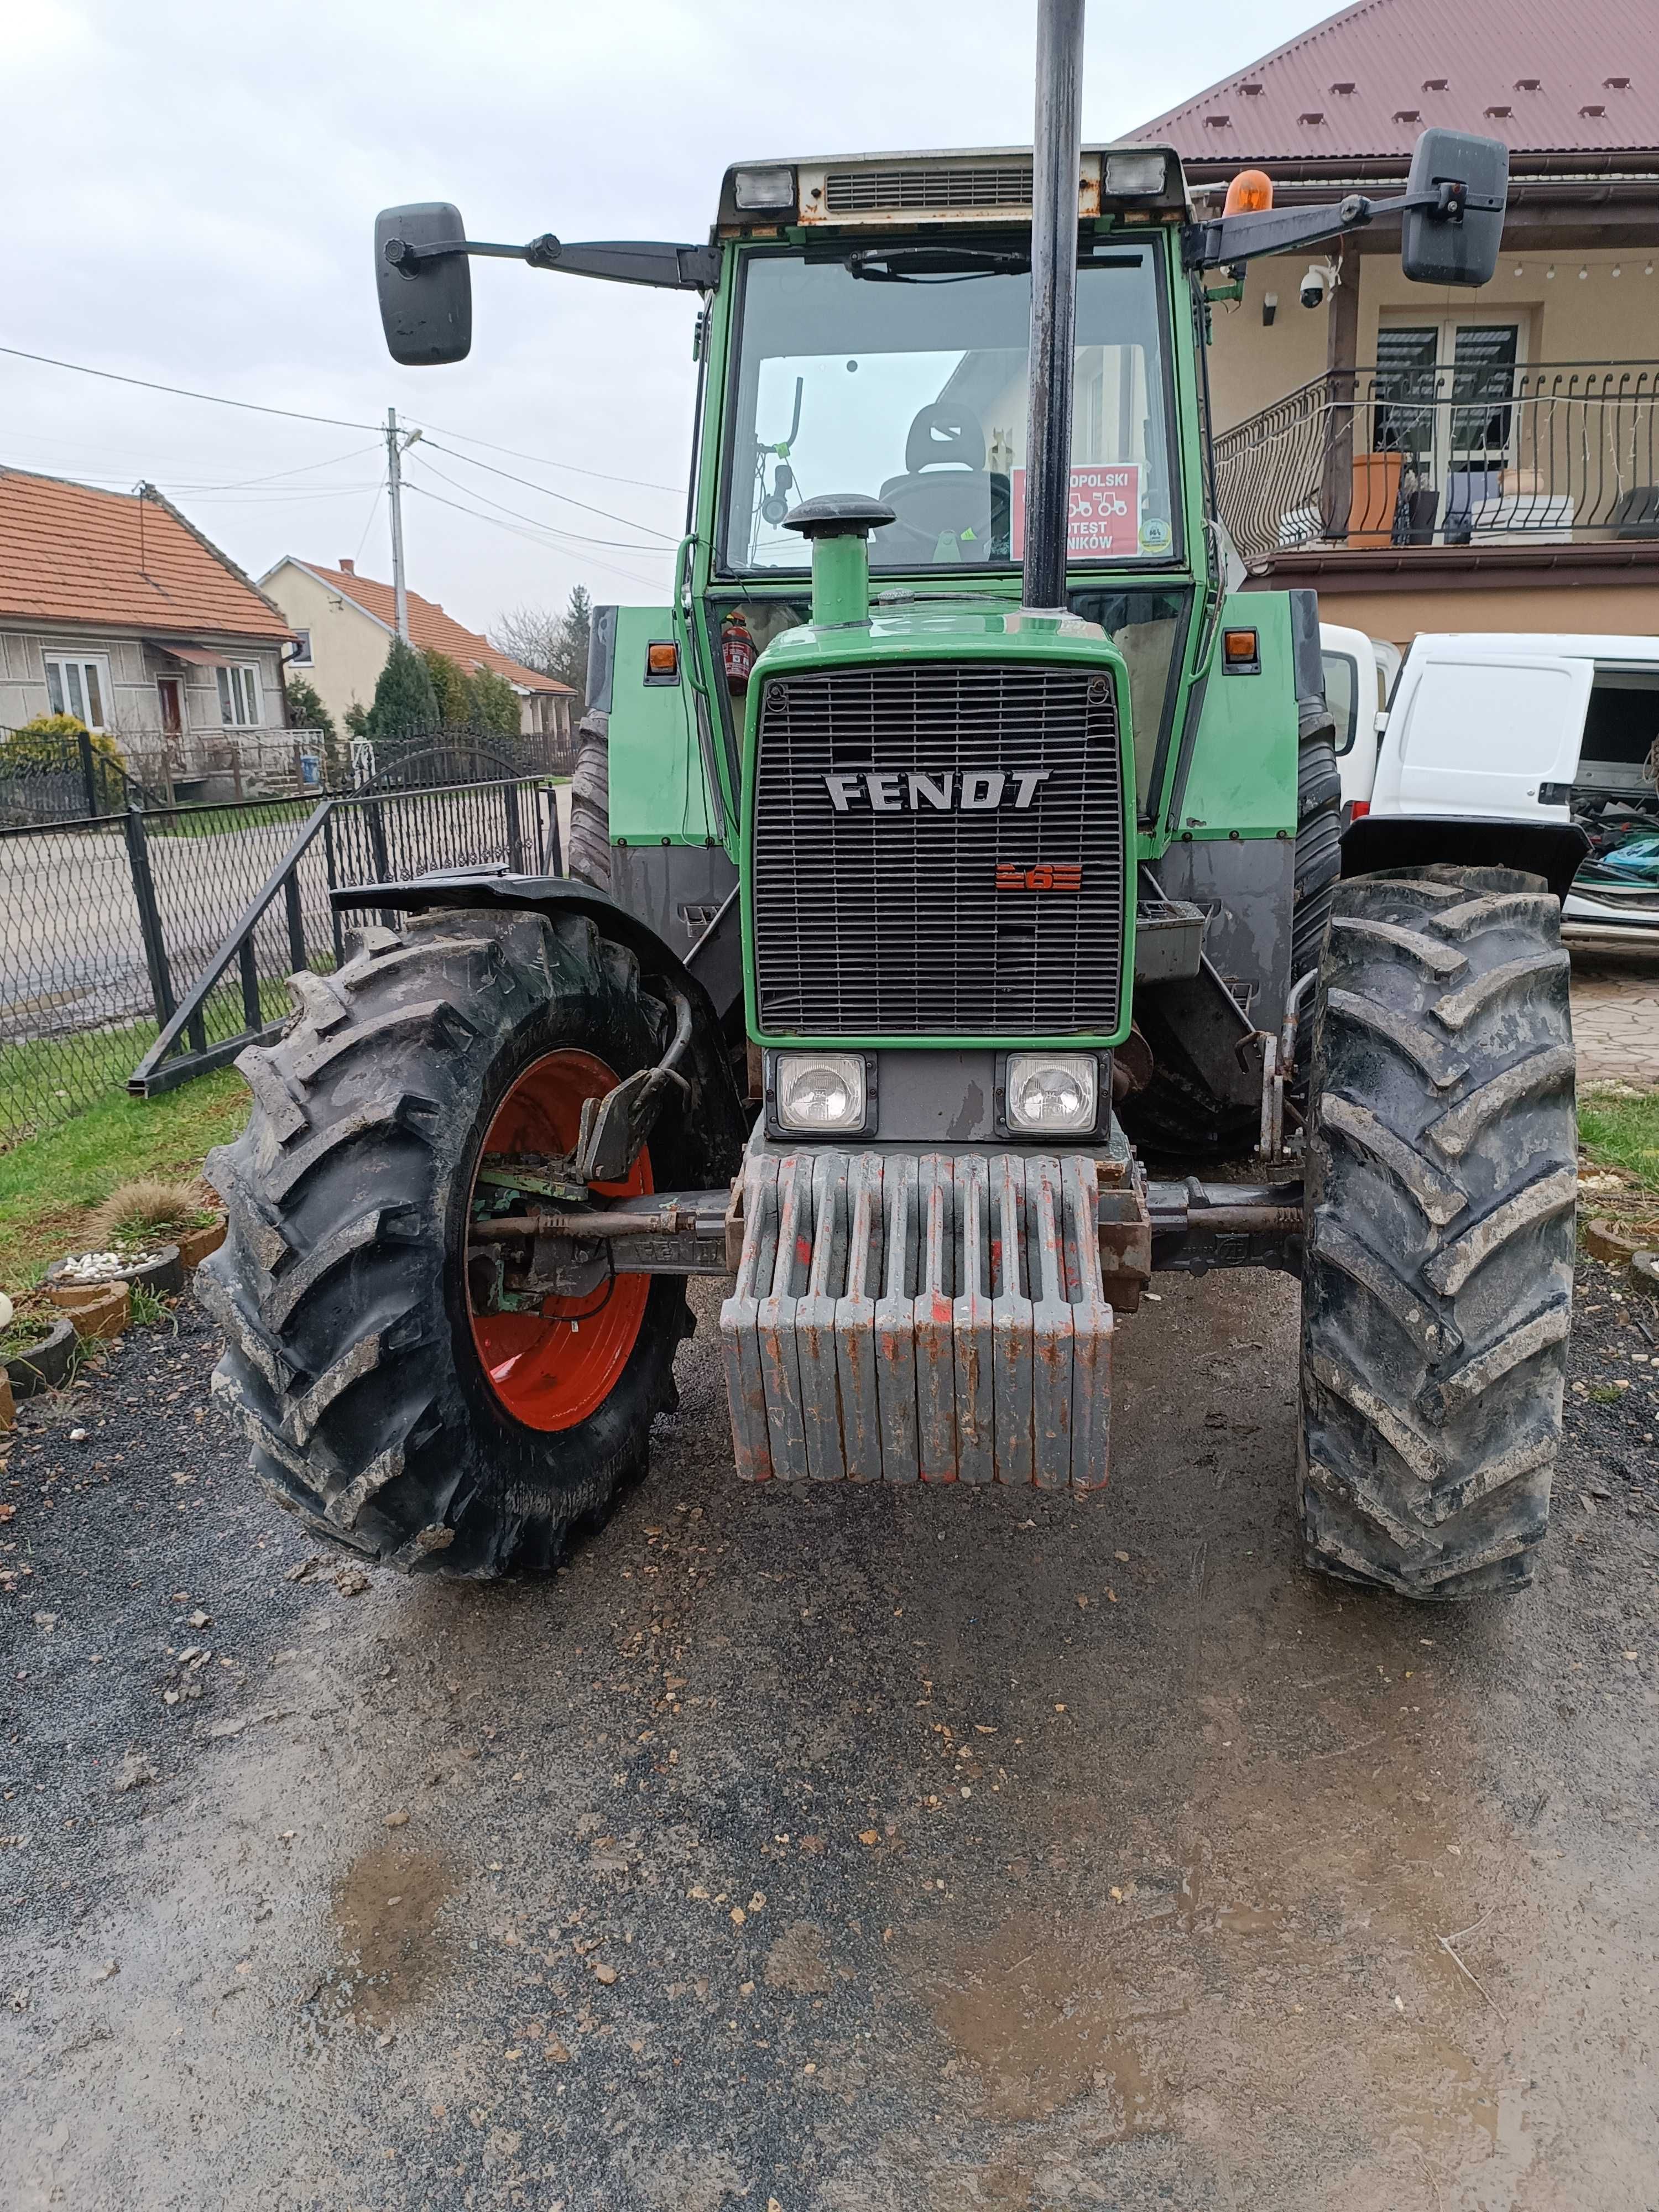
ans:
(185, 924)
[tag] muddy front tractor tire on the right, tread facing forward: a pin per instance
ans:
(1439, 1264)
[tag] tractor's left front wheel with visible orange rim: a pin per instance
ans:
(386, 1408)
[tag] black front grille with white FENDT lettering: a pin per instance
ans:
(919, 921)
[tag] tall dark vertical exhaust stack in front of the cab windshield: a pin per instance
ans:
(1054, 300)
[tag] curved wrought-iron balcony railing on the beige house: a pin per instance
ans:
(1461, 457)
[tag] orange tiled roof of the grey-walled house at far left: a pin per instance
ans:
(74, 554)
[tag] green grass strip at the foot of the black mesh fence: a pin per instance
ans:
(52, 1180)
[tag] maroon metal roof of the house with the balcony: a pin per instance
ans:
(1536, 74)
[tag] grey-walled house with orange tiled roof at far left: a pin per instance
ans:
(118, 612)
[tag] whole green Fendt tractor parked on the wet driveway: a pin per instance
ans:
(957, 877)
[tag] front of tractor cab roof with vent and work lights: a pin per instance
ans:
(981, 185)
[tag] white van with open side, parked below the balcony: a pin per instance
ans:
(1527, 729)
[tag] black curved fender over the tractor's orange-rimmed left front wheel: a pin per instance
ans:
(718, 1109)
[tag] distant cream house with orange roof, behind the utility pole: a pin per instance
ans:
(346, 623)
